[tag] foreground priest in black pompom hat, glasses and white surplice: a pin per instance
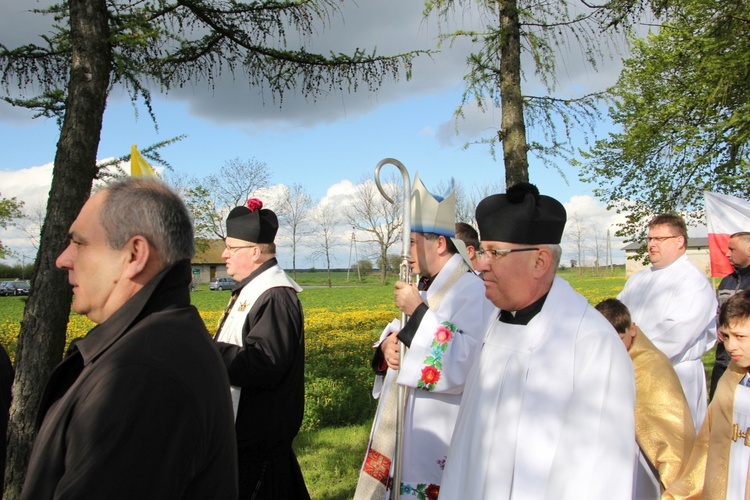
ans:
(548, 407)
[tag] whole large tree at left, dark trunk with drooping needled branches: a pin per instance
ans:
(96, 45)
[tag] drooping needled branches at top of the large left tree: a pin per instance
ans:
(174, 42)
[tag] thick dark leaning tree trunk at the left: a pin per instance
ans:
(42, 335)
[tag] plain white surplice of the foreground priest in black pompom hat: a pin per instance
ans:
(548, 410)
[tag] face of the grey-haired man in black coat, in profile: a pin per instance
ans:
(94, 268)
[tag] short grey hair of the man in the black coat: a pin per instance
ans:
(147, 207)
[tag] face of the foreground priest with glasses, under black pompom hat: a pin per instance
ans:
(507, 278)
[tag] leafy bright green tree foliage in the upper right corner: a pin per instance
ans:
(683, 103)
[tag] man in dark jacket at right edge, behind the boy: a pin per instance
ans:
(738, 253)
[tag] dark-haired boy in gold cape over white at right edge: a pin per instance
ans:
(720, 463)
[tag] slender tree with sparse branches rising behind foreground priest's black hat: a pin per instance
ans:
(543, 30)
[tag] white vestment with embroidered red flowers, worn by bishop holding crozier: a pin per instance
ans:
(431, 411)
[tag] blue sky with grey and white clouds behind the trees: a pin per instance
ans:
(329, 144)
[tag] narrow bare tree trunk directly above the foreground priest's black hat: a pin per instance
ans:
(512, 127)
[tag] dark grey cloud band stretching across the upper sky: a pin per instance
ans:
(391, 26)
